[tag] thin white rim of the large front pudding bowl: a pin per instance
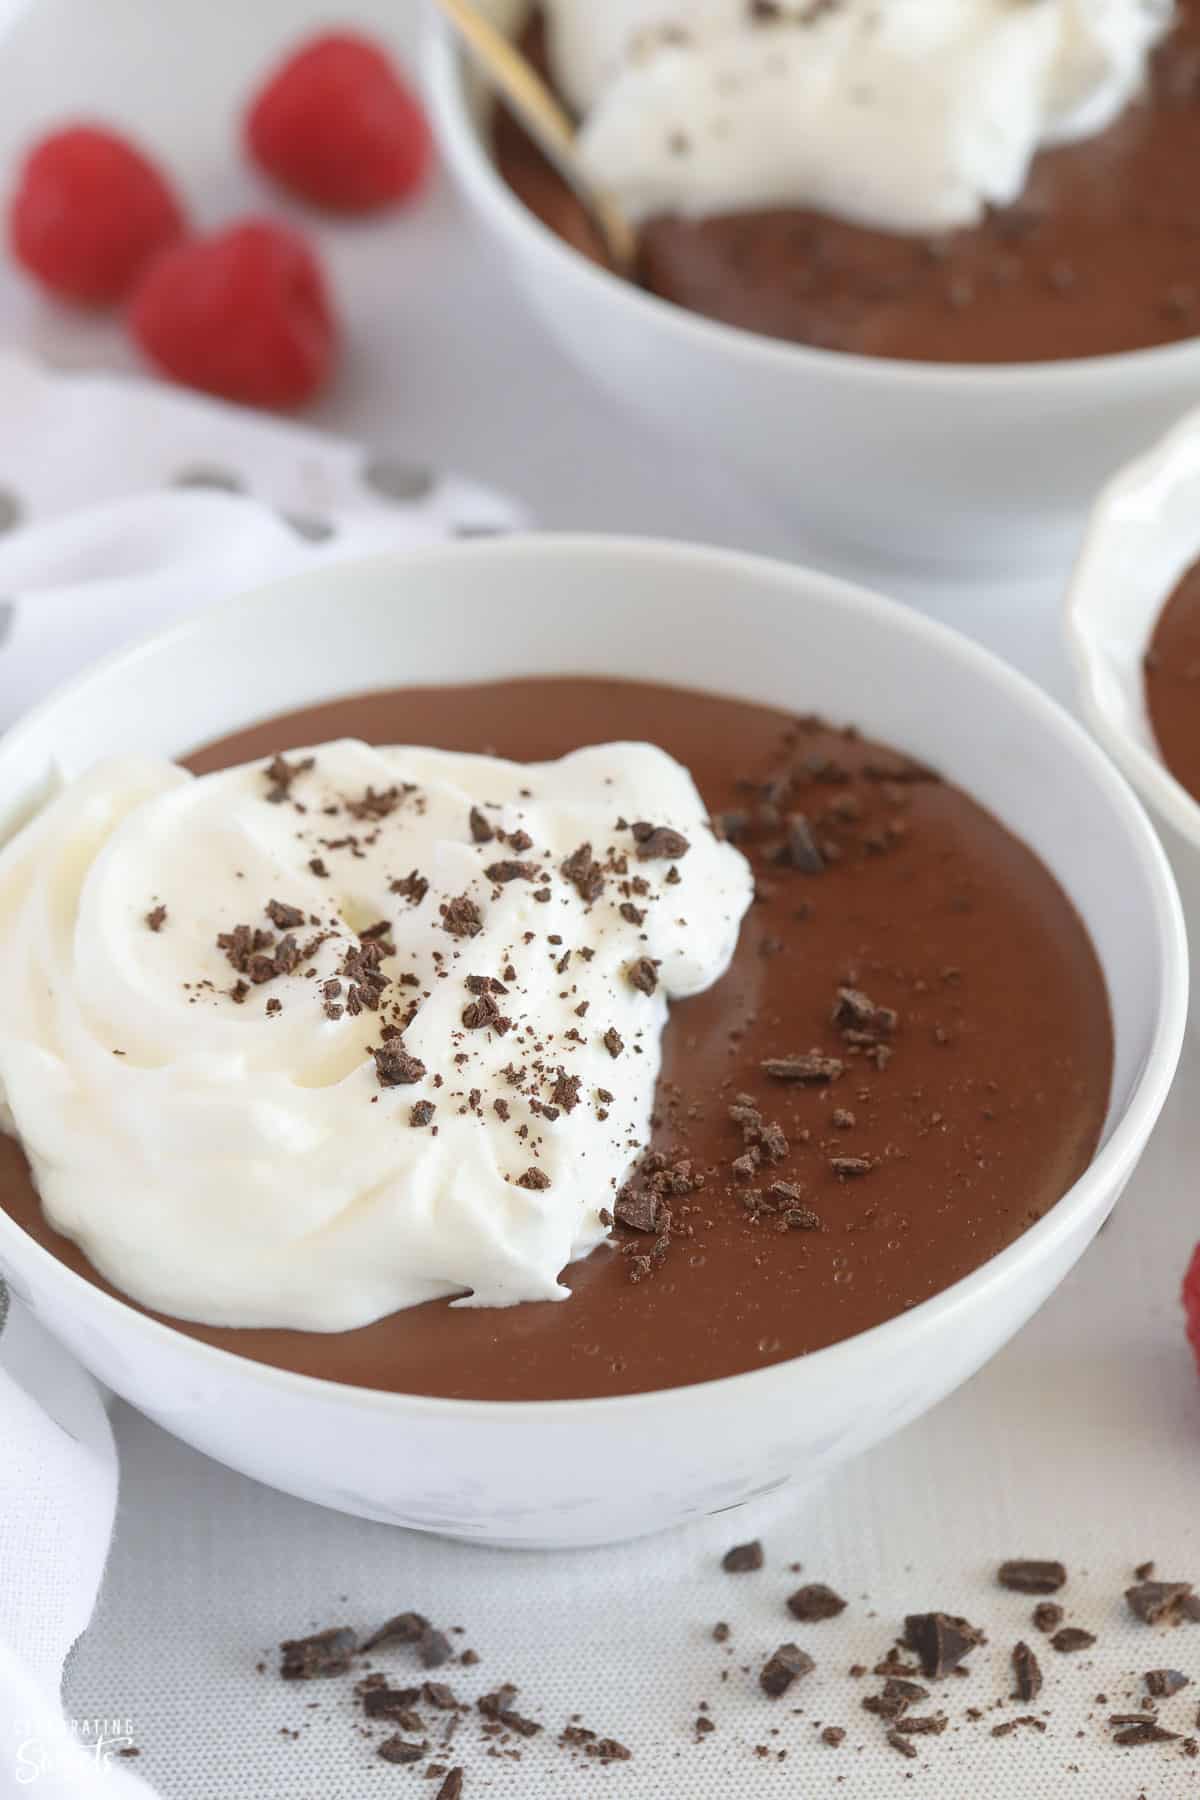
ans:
(1098, 1185)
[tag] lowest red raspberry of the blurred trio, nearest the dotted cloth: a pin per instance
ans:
(244, 314)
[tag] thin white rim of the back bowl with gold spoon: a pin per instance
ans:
(465, 150)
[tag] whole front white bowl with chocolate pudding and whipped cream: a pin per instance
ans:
(685, 958)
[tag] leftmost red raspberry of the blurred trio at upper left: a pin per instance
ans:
(89, 213)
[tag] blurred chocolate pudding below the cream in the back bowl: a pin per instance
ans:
(1098, 256)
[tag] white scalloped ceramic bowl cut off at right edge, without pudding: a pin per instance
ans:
(1145, 534)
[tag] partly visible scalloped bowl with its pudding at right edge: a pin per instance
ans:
(1133, 625)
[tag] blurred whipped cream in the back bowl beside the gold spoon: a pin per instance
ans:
(906, 116)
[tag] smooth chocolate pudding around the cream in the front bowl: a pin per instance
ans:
(906, 1066)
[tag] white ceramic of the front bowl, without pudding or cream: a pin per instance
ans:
(571, 1473)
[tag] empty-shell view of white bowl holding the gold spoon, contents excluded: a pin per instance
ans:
(983, 467)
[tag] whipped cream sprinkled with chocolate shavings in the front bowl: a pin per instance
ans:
(309, 1043)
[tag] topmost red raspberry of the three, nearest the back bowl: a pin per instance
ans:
(339, 127)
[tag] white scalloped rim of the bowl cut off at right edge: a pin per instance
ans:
(1142, 485)
